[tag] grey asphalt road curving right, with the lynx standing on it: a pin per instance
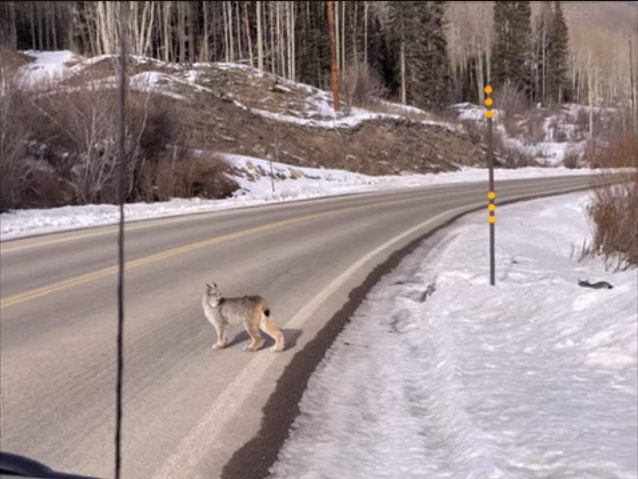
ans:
(188, 409)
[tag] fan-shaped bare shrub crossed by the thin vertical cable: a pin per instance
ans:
(81, 126)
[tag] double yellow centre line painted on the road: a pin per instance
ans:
(46, 290)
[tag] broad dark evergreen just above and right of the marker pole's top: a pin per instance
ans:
(511, 56)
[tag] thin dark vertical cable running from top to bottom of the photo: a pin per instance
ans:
(120, 242)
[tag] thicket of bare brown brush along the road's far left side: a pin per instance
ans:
(60, 147)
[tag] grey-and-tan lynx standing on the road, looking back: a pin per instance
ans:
(251, 311)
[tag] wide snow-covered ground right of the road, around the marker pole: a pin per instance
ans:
(440, 375)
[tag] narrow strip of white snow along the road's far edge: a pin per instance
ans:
(256, 188)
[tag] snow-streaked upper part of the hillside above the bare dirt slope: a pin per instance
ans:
(302, 104)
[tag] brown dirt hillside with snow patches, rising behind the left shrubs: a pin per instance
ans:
(233, 108)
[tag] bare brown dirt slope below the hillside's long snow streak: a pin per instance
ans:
(374, 147)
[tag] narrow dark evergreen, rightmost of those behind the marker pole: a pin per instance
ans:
(558, 55)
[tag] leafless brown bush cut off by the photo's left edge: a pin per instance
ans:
(15, 126)
